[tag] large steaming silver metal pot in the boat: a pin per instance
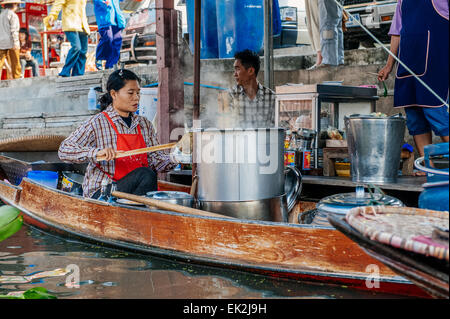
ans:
(241, 173)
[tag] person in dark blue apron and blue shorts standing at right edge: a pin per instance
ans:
(419, 37)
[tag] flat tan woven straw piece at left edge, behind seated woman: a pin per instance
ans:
(32, 143)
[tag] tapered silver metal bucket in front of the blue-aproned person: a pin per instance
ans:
(374, 145)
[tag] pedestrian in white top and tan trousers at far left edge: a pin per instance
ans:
(9, 37)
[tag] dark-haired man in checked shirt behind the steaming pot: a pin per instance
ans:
(250, 103)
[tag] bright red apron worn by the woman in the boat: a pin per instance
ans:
(128, 142)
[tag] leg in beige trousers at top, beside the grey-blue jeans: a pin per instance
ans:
(312, 23)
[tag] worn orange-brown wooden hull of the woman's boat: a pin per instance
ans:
(292, 251)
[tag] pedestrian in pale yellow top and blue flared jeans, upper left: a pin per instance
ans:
(76, 29)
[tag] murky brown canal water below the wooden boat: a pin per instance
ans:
(109, 273)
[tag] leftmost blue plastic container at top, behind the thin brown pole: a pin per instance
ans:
(208, 29)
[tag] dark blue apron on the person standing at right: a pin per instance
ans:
(424, 49)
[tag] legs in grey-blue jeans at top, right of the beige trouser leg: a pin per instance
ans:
(331, 33)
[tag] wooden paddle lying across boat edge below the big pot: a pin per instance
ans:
(166, 206)
